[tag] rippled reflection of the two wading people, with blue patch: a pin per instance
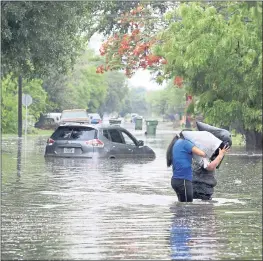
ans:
(193, 232)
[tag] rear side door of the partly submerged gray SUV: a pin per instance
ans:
(119, 149)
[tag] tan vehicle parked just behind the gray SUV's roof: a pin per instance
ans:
(75, 115)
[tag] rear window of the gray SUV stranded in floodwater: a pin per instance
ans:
(74, 133)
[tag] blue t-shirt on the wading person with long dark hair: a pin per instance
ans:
(182, 159)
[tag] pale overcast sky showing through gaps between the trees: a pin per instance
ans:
(141, 78)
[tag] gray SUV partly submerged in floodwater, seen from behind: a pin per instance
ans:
(92, 141)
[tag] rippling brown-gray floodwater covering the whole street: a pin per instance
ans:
(82, 209)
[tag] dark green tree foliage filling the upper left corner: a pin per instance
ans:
(37, 35)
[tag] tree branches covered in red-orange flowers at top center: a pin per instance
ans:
(132, 51)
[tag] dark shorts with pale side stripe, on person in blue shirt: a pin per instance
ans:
(183, 189)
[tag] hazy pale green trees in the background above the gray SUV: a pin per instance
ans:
(83, 88)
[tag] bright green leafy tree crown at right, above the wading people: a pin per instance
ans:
(220, 55)
